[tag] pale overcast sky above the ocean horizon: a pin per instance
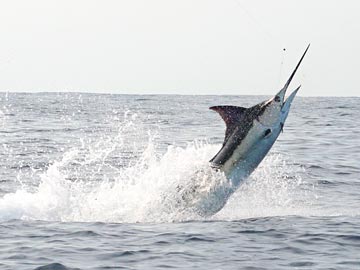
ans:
(179, 46)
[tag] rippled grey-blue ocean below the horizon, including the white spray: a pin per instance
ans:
(83, 179)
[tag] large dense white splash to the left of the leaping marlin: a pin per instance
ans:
(136, 195)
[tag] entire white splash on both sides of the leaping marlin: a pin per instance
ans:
(86, 186)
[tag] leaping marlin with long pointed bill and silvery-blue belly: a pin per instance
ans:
(250, 134)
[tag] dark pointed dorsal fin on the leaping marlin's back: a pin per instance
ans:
(232, 115)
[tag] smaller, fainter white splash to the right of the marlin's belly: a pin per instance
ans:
(276, 188)
